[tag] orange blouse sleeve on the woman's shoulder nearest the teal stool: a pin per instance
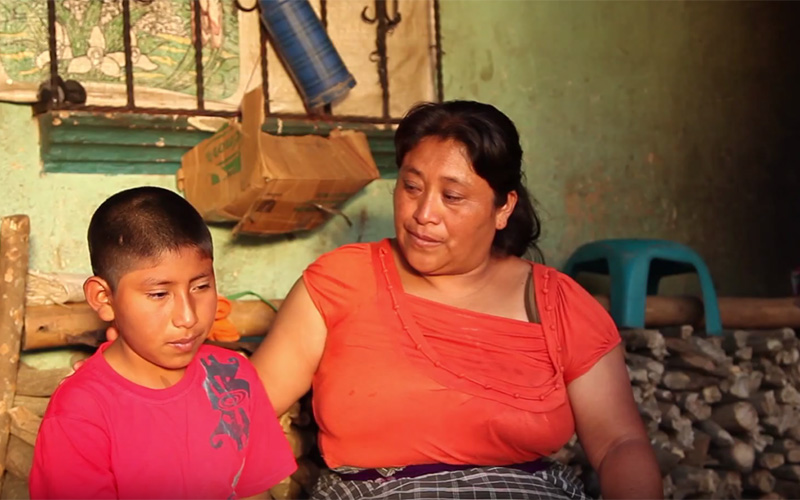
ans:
(587, 331)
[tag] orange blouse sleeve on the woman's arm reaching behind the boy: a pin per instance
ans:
(336, 281)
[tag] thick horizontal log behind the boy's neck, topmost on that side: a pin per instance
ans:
(71, 324)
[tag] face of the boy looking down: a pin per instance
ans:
(163, 310)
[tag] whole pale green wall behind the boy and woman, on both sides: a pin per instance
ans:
(625, 109)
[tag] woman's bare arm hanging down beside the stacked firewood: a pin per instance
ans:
(611, 431)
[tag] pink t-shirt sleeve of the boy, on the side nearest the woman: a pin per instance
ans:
(269, 457)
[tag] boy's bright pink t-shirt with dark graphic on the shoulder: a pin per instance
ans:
(214, 434)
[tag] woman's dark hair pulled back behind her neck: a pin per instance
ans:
(492, 142)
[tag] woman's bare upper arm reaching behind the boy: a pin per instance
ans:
(289, 355)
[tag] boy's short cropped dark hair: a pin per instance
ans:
(143, 223)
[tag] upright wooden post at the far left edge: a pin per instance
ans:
(14, 242)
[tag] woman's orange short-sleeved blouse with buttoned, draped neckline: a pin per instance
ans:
(404, 380)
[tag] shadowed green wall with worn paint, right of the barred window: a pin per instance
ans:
(654, 119)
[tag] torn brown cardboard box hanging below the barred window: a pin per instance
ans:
(271, 184)
